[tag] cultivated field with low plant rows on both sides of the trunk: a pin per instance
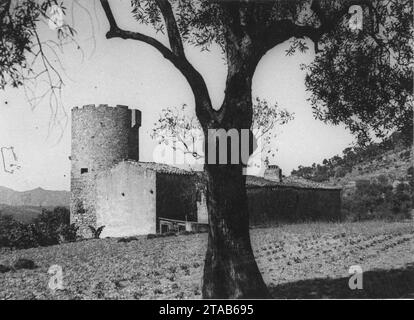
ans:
(306, 260)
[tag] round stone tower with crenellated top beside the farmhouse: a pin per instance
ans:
(102, 136)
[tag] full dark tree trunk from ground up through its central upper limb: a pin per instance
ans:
(230, 269)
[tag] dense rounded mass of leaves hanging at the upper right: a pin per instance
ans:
(364, 79)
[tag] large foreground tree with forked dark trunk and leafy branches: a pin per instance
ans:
(246, 31)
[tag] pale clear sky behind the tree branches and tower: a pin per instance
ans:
(128, 72)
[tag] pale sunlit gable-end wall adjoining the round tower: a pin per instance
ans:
(126, 200)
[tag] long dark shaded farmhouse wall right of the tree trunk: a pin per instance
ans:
(269, 205)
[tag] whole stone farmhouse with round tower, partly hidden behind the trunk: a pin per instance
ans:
(110, 187)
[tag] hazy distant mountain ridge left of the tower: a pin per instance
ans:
(34, 198)
